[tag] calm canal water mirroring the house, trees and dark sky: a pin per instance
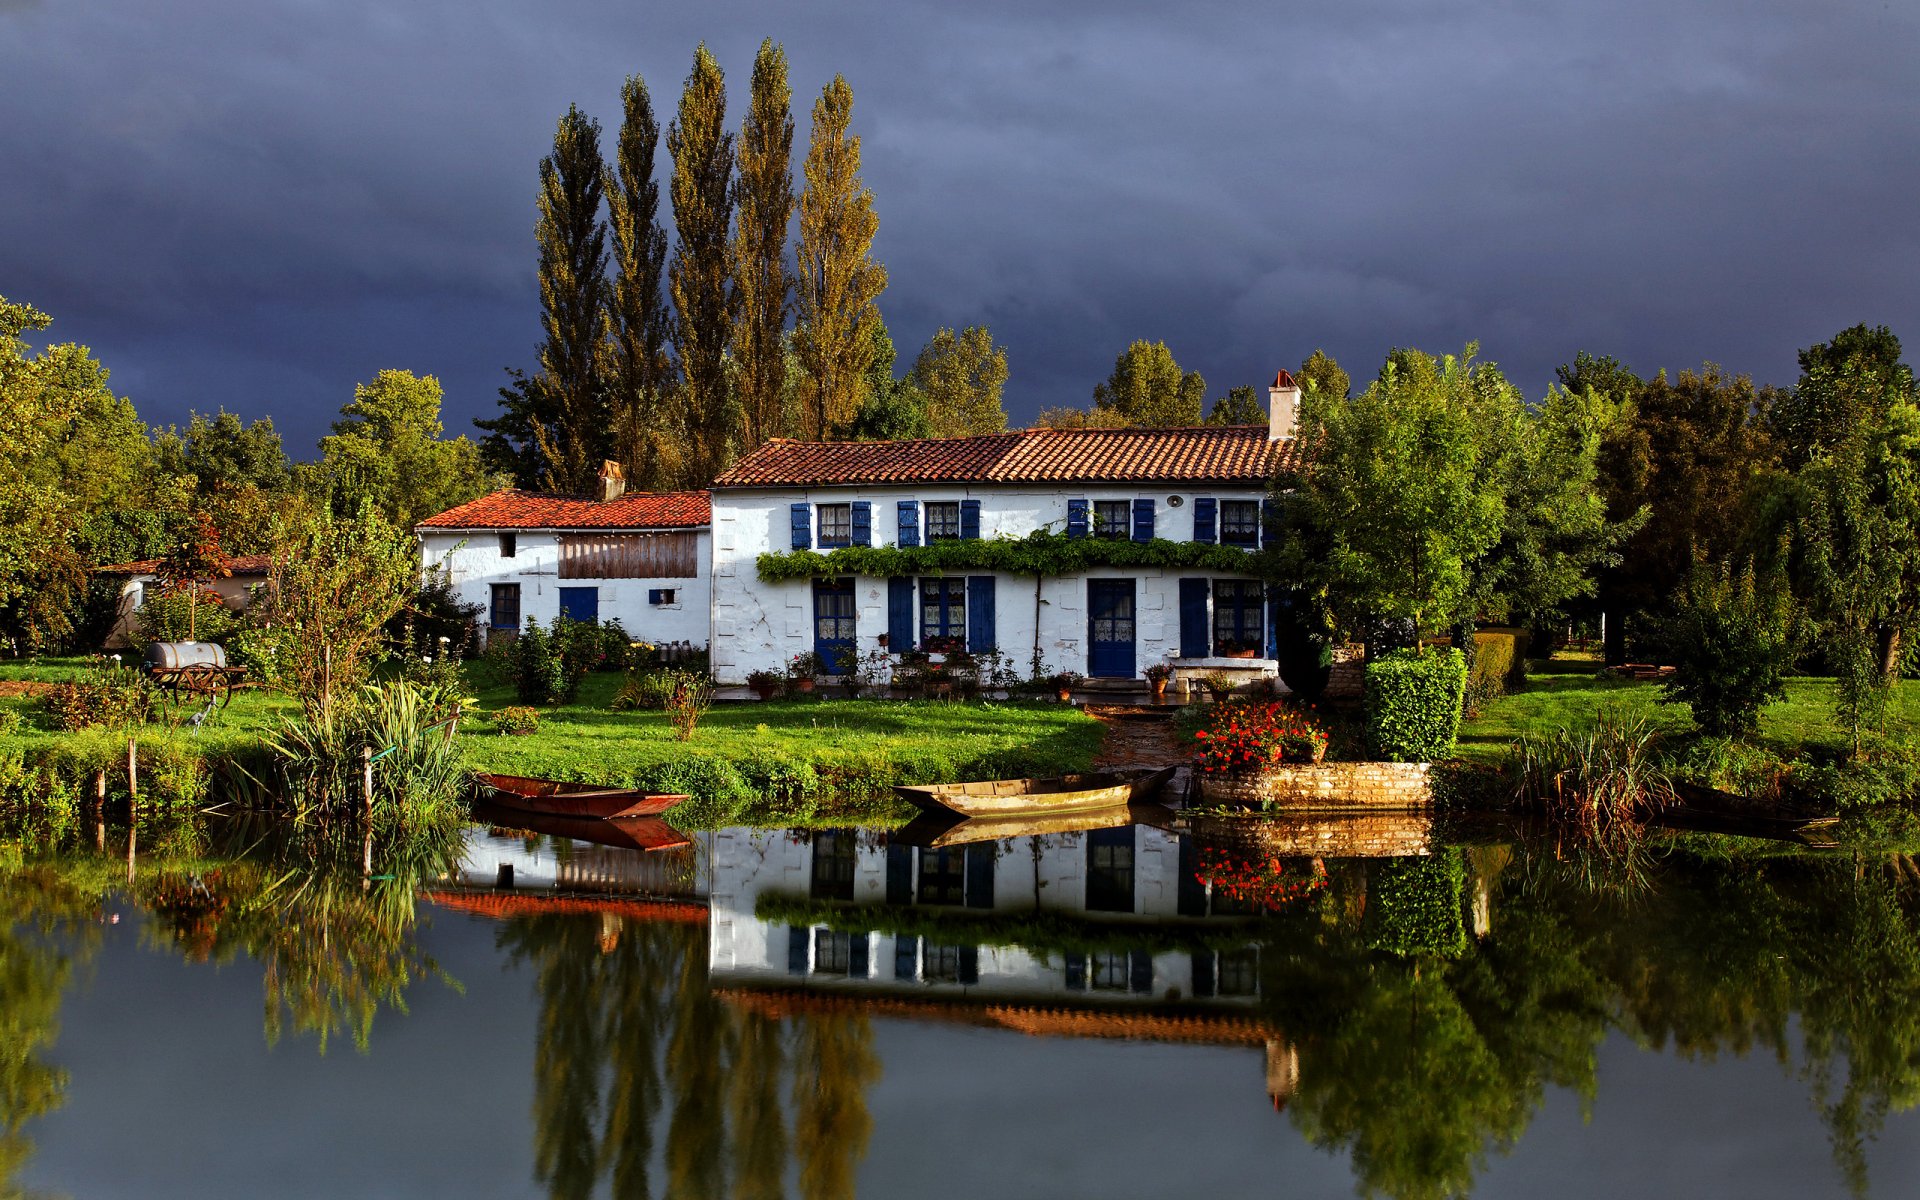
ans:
(1076, 1013)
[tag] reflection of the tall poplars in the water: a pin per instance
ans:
(627, 1013)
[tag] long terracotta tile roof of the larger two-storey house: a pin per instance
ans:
(1209, 454)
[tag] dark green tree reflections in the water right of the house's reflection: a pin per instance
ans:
(1420, 1067)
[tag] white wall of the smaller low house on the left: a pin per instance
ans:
(477, 565)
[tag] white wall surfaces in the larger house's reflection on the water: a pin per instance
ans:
(1030, 873)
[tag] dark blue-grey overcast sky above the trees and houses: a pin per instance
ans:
(258, 204)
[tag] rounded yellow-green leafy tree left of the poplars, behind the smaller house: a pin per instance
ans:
(387, 450)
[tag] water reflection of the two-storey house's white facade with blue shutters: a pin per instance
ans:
(1101, 917)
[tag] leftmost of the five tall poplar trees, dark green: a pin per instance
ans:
(571, 412)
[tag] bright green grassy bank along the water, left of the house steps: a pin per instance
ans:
(782, 761)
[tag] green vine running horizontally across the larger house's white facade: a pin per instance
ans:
(1040, 554)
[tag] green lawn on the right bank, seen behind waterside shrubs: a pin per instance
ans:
(1570, 694)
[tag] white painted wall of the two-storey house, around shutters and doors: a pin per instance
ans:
(761, 627)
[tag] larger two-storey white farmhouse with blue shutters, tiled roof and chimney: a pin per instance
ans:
(1186, 485)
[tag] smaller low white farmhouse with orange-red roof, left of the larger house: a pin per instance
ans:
(633, 558)
